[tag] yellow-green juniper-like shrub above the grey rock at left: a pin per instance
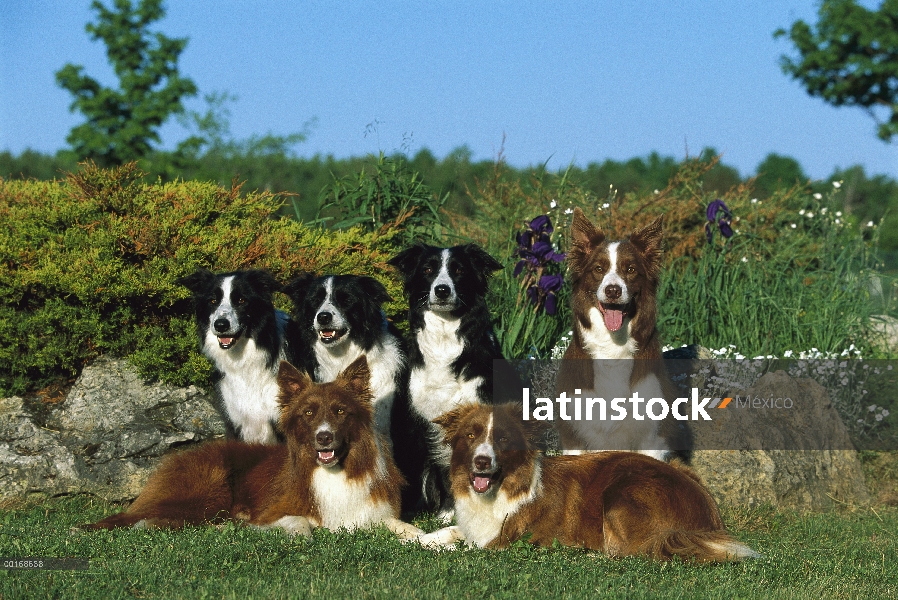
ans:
(87, 266)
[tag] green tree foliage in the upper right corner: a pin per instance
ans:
(850, 58)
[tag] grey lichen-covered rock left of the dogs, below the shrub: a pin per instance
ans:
(104, 439)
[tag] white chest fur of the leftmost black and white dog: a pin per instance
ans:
(249, 387)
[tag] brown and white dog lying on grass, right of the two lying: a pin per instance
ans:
(621, 503)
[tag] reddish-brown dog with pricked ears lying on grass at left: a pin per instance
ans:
(333, 471)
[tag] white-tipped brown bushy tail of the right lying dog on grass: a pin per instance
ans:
(704, 546)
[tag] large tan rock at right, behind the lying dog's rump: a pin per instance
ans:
(811, 467)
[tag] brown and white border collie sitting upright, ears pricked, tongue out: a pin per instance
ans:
(614, 285)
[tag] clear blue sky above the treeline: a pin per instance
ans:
(561, 82)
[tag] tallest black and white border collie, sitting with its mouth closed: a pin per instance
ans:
(451, 350)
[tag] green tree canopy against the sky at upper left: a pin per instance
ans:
(122, 124)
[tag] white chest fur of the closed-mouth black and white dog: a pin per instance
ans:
(434, 388)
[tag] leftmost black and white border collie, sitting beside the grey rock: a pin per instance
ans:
(245, 338)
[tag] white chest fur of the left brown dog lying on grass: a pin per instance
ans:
(347, 503)
